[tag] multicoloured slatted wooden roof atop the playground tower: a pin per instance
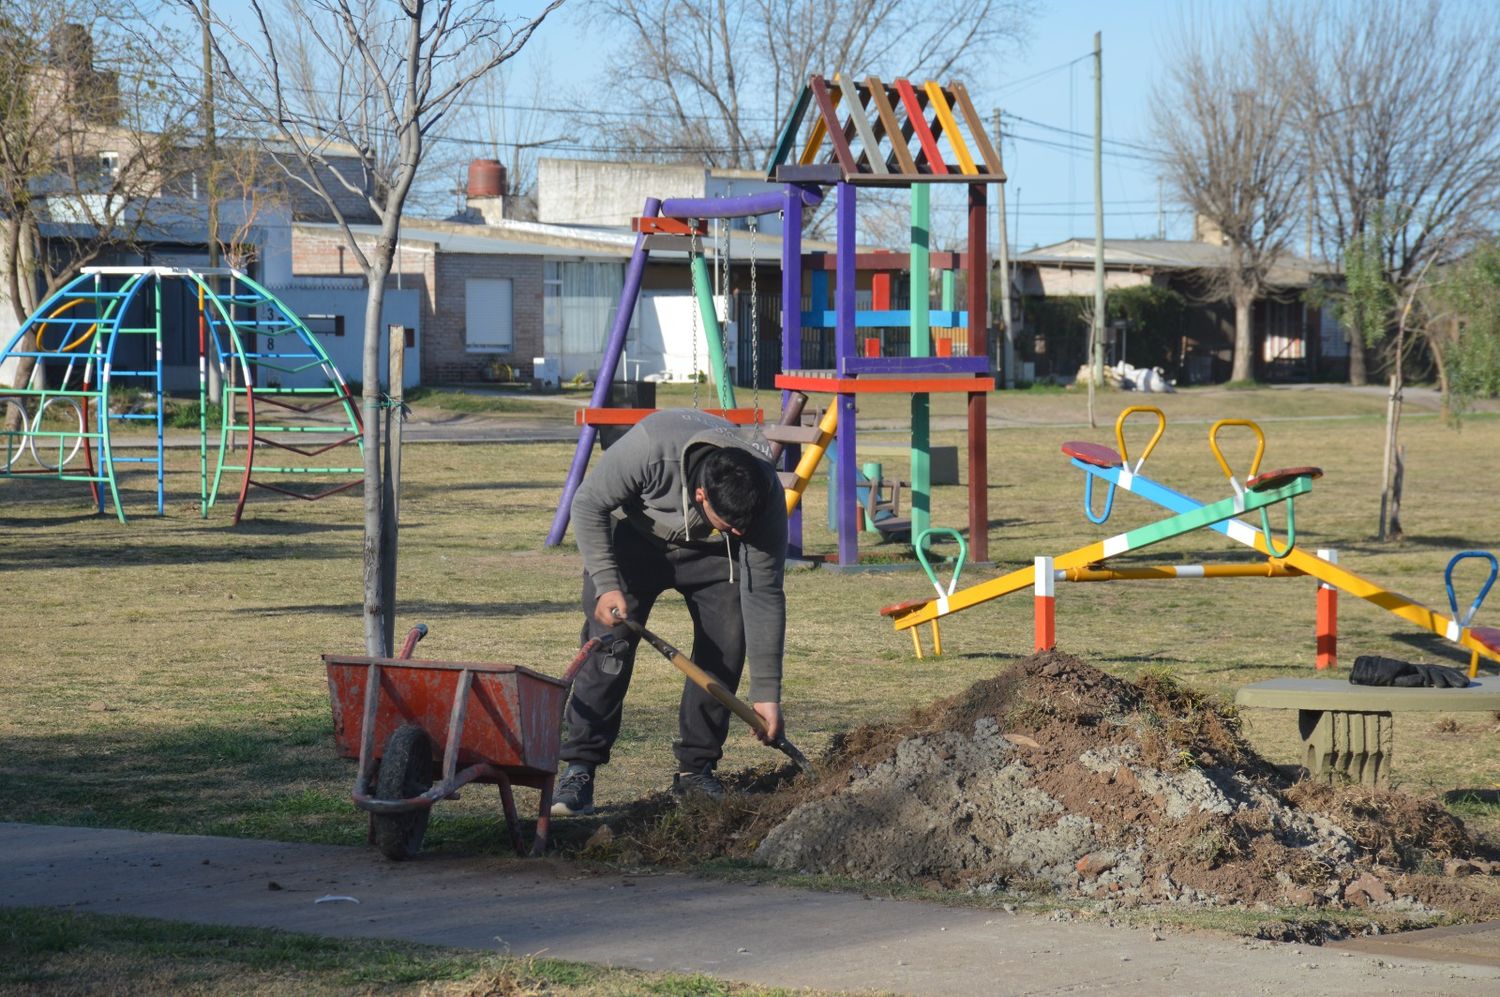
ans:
(875, 134)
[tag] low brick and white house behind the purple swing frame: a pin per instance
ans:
(508, 283)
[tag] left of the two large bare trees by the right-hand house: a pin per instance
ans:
(1234, 157)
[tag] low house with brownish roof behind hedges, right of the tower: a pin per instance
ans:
(1295, 340)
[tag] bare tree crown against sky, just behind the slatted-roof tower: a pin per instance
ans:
(715, 80)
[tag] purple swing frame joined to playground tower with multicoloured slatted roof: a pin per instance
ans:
(844, 136)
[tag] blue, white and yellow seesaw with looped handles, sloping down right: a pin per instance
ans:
(1115, 470)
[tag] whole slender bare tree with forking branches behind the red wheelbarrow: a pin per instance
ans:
(347, 97)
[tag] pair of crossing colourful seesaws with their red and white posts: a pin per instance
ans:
(1282, 560)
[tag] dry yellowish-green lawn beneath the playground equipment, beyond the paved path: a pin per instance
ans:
(164, 675)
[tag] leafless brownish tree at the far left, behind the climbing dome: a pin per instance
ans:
(88, 155)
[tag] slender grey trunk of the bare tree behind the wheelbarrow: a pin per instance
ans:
(376, 629)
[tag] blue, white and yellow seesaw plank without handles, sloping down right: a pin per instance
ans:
(1481, 641)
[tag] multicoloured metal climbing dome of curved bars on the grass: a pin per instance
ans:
(97, 353)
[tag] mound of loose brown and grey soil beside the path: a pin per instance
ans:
(1060, 780)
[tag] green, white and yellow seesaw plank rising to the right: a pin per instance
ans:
(908, 615)
